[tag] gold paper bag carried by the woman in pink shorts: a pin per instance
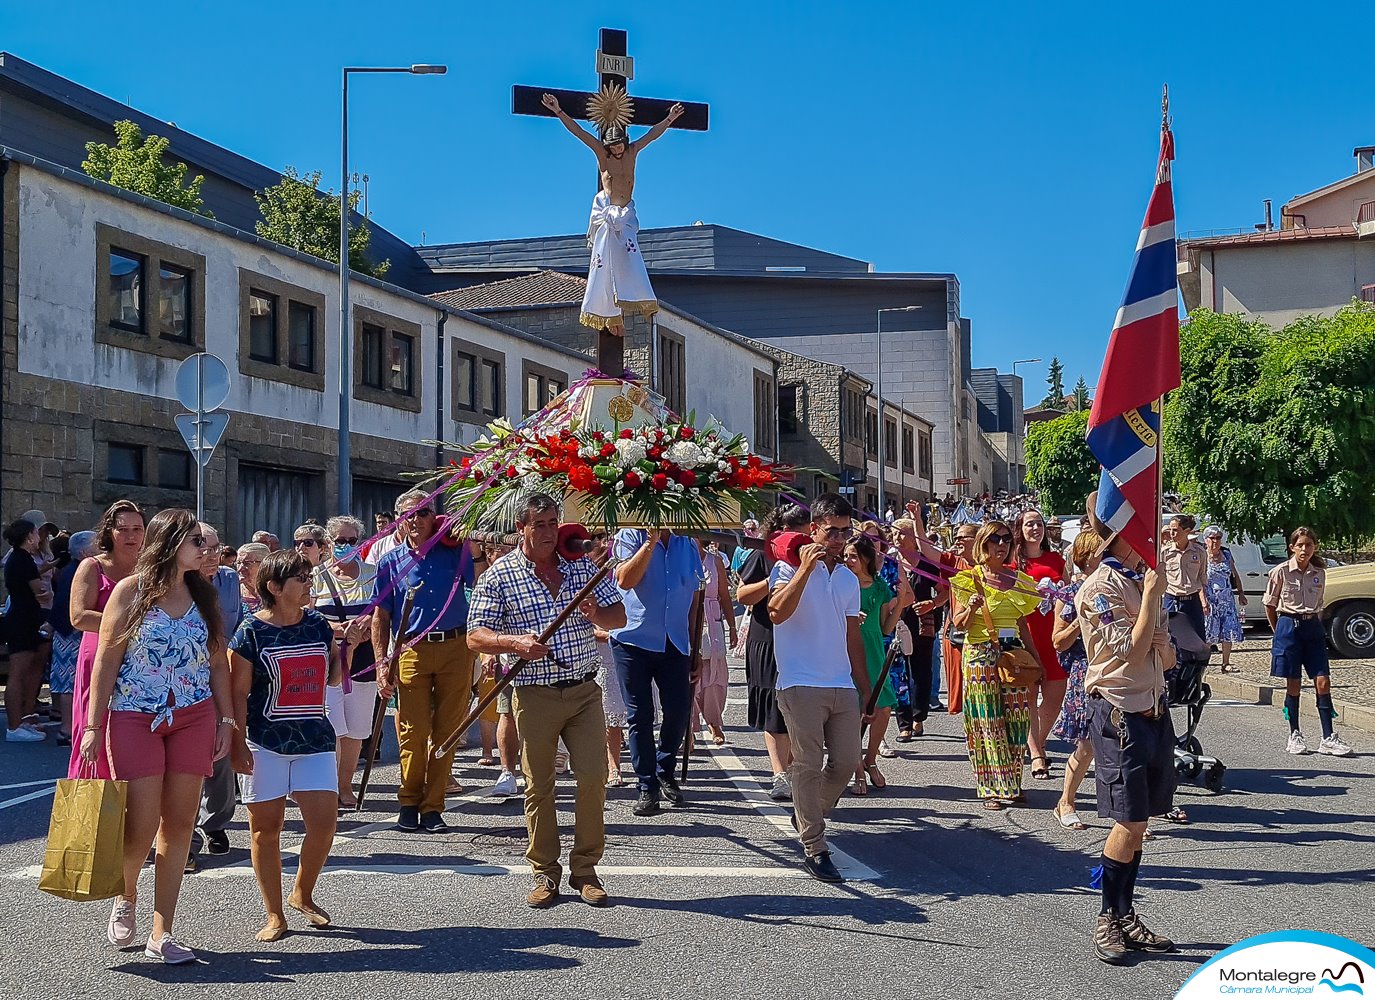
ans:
(85, 859)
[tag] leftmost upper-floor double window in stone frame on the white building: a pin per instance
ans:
(151, 296)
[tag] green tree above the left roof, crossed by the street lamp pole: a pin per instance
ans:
(295, 214)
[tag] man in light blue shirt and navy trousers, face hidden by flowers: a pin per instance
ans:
(659, 578)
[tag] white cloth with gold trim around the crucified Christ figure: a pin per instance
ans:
(617, 279)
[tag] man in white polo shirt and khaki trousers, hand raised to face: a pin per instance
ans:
(823, 680)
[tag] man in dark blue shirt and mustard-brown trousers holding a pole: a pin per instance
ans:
(435, 679)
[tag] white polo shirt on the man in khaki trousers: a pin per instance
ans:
(811, 647)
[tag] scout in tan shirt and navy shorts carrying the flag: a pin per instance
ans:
(1123, 622)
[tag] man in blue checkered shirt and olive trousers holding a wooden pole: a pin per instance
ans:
(558, 694)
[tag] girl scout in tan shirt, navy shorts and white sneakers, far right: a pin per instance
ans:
(1295, 606)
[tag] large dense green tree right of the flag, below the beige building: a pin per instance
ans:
(1273, 430)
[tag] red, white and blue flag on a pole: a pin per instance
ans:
(1142, 365)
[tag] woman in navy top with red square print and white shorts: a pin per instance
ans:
(281, 661)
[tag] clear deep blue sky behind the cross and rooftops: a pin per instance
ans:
(1010, 144)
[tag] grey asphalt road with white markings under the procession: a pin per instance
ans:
(710, 900)
